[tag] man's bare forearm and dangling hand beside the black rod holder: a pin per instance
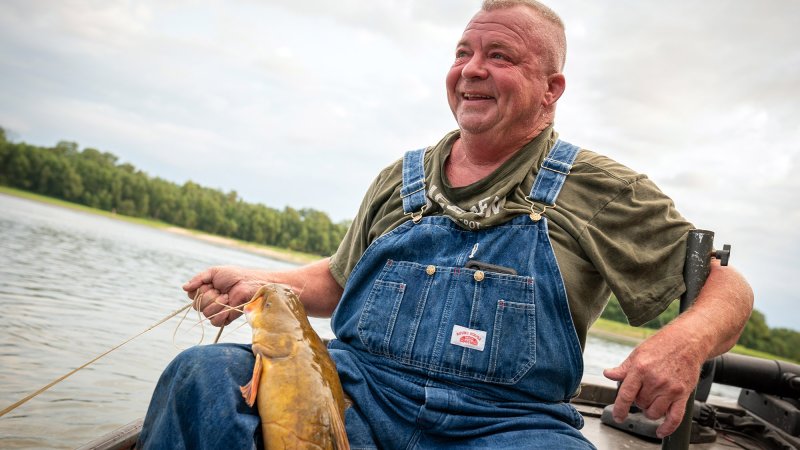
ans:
(661, 373)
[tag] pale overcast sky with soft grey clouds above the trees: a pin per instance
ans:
(300, 103)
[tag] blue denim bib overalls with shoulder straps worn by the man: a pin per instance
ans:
(440, 344)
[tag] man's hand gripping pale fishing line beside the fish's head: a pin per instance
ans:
(220, 288)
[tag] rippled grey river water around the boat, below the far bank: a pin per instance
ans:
(73, 285)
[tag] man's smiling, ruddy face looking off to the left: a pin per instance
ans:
(498, 82)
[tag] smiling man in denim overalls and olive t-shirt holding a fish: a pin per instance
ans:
(462, 293)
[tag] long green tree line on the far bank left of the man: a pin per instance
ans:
(97, 179)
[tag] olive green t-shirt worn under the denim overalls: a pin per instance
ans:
(612, 229)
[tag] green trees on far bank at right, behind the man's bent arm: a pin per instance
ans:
(757, 335)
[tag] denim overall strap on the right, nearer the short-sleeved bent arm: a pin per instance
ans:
(551, 177)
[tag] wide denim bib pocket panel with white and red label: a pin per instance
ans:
(452, 320)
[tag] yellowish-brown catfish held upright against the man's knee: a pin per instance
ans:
(300, 398)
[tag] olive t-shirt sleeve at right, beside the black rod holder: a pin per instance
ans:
(637, 241)
